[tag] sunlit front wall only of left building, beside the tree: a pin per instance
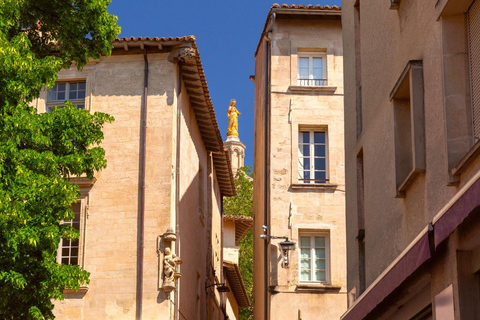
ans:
(111, 228)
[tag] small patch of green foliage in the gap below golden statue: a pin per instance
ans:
(242, 204)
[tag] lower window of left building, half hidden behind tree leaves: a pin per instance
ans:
(69, 250)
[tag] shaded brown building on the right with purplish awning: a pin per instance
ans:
(412, 165)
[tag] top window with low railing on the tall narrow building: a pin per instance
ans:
(312, 69)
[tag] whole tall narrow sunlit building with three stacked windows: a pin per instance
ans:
(299, 166)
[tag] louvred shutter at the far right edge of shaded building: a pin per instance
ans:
(474, 54)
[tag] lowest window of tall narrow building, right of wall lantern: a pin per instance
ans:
(314, 257)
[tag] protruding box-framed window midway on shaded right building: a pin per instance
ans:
(409, 125)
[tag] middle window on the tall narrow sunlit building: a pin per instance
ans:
(312, 156)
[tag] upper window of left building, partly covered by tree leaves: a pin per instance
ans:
(73, 91)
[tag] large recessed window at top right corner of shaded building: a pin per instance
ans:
(461, 82)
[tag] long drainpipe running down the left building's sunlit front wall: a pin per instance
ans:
(141, 191)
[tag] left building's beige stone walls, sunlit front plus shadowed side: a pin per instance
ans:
(115, 86)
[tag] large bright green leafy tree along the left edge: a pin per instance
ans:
(39, 152)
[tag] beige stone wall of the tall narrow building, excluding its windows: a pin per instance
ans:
(293, 207)
